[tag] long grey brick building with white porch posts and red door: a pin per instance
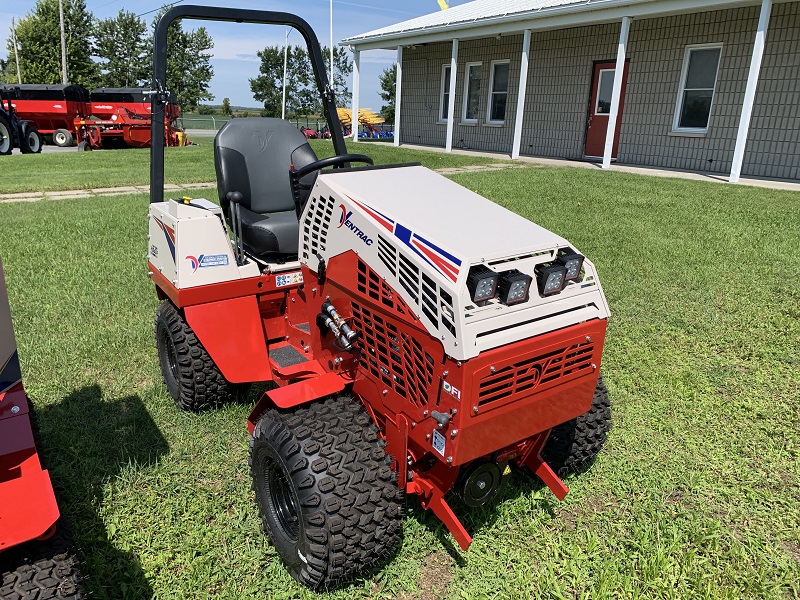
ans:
(707, 85)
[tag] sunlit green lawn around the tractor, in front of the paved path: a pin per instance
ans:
(697, 493)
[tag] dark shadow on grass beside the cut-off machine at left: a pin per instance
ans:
(87, 441)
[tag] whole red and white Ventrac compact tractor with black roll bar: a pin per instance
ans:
(422, 340)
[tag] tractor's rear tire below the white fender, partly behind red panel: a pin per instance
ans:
(192, 378)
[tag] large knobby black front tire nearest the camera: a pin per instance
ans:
(326, 494)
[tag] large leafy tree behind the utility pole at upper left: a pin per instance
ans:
(39, 38)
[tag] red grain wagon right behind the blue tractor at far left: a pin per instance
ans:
(53, 108)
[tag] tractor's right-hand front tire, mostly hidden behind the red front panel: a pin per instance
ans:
(573, 446)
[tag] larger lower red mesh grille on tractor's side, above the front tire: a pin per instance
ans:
(394, 358)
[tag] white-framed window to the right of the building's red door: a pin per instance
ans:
(698, 80)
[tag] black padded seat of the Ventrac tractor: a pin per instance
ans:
(253, 156)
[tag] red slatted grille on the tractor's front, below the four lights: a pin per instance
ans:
(521, 378)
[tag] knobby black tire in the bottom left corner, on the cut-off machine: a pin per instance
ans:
(41, 570)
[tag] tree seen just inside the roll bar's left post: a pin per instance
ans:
(189, 69)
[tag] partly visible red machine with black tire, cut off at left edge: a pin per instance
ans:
(33, 563)
